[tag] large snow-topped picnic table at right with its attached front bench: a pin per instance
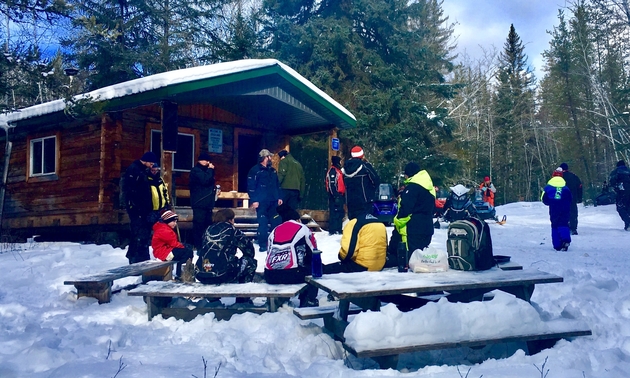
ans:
(366, 289)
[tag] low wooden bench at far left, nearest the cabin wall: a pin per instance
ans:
(99, 285)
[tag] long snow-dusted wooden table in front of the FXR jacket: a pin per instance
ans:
(158, 295)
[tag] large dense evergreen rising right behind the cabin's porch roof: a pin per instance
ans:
(383, 60)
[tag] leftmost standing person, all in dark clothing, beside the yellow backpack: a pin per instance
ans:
(139, 205)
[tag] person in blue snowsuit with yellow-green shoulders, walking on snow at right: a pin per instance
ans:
(558, 197)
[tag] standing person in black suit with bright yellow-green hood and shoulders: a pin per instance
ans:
(414, 221)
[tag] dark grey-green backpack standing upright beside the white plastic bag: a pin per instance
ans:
(469, 245)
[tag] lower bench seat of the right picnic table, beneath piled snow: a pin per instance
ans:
(535, 342)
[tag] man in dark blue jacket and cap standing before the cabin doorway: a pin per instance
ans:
(263, 188)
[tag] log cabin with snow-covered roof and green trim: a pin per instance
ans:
(62, 160)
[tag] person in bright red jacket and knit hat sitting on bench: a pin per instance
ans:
(166, 244)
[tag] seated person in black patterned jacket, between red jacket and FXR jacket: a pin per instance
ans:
(217, 262)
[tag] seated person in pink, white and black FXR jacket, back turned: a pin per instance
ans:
(290, 252)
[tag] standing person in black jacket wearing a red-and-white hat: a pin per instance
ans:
(361, 181)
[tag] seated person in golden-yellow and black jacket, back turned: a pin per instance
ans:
(363, 246)
